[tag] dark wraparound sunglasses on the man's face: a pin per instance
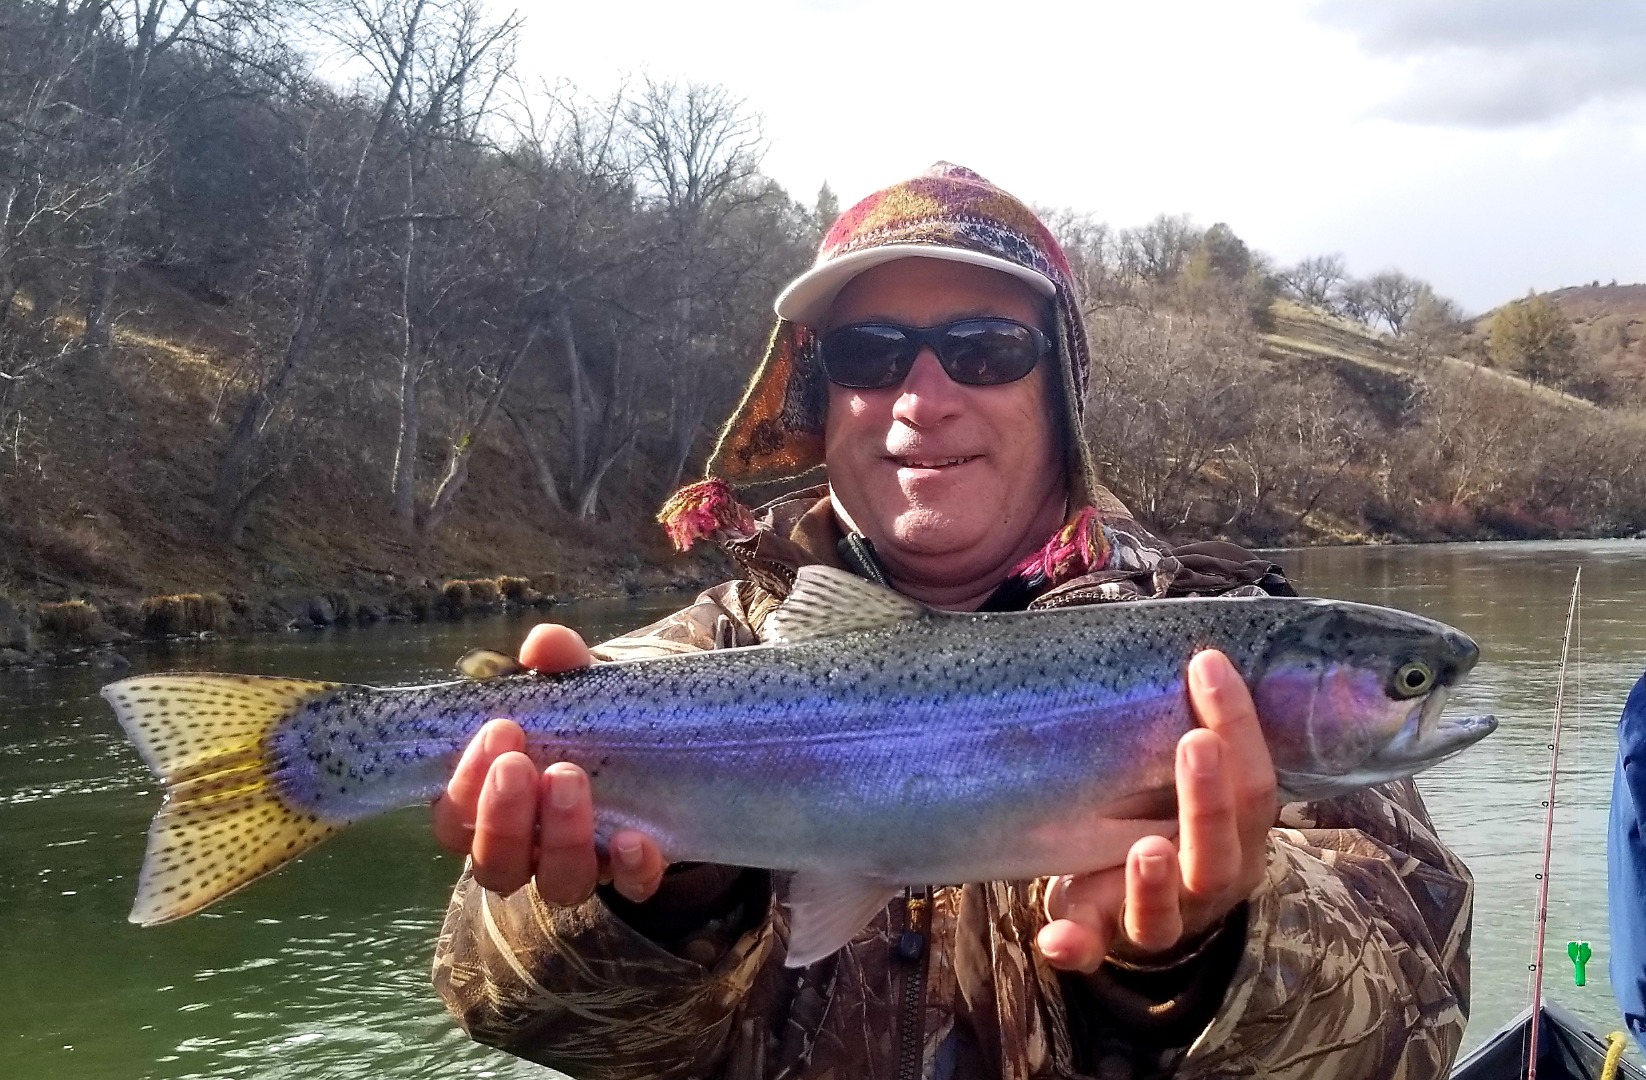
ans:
(977, 353)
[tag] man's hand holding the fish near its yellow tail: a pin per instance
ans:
(519, 824)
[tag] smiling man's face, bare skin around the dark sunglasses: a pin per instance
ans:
(949, 482)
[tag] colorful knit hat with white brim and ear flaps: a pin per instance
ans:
(946, 213)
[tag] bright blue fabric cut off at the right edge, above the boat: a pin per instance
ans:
(1627, 867)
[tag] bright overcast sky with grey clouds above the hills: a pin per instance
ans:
(1487, 147)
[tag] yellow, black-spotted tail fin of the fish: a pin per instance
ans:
(223, 824)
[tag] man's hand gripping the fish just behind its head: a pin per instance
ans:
(1168, 895)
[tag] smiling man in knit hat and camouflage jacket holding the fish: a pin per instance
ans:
(934, 361)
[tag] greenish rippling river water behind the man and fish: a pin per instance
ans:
(323, 969)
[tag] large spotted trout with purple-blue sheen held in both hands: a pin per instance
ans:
(865, 745)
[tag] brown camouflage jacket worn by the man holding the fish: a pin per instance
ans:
(1351, 959)
